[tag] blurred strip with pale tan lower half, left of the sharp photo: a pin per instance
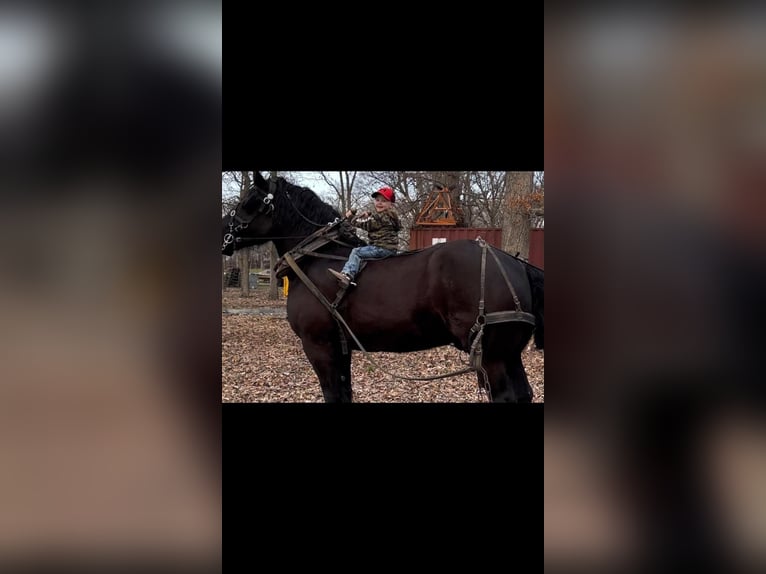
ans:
(110, 145)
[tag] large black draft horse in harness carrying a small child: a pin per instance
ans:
(410, 302)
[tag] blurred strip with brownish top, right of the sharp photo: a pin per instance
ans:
(655, 138)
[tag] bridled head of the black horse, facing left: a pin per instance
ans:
(250, 222)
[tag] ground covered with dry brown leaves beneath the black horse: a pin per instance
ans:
(263, 362)
